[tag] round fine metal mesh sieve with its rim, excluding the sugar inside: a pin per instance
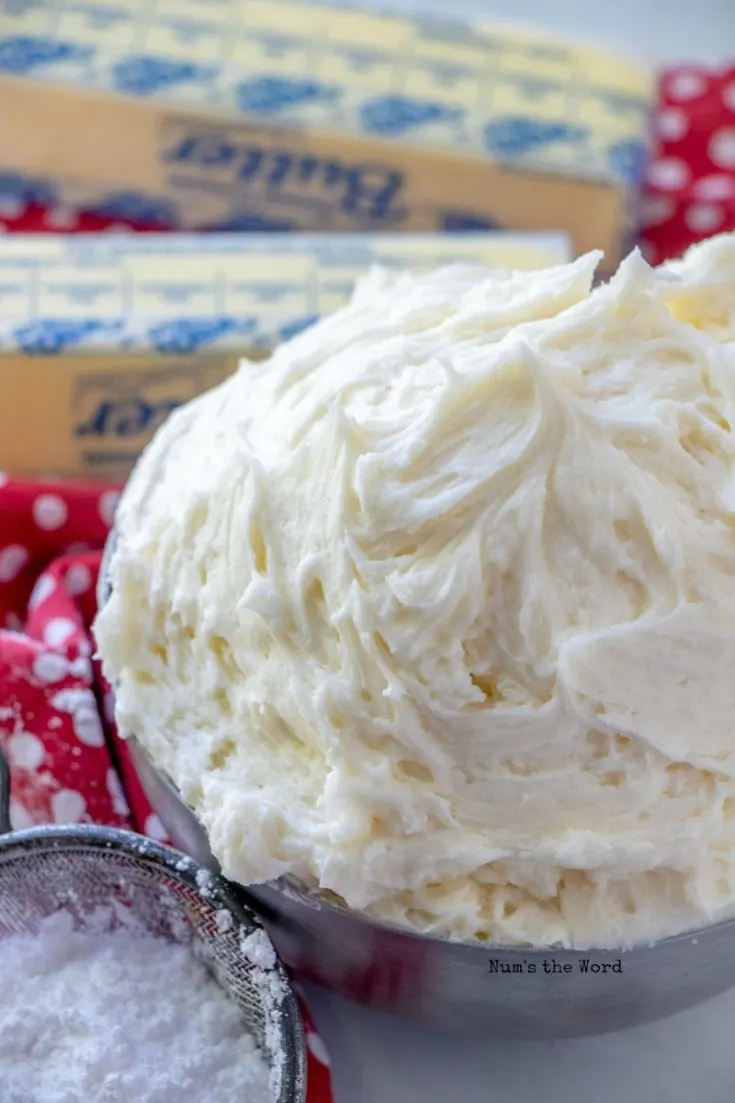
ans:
(109, 880)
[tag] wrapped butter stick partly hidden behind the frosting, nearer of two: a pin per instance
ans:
(103, 336)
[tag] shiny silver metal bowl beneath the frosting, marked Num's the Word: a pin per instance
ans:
(468, 988)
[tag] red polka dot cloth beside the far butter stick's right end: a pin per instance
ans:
(691, 180)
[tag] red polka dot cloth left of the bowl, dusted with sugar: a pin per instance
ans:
(57, 730)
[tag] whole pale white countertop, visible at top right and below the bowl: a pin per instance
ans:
(690, 1058)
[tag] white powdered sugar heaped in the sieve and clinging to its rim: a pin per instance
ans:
(123, 1019)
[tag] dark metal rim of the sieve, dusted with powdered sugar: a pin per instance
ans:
(58, 839)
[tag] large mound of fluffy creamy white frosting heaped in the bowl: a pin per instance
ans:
(435, 609)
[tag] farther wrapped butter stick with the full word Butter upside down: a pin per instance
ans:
(273, 115)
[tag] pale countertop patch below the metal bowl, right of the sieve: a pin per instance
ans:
(376, 1059)
